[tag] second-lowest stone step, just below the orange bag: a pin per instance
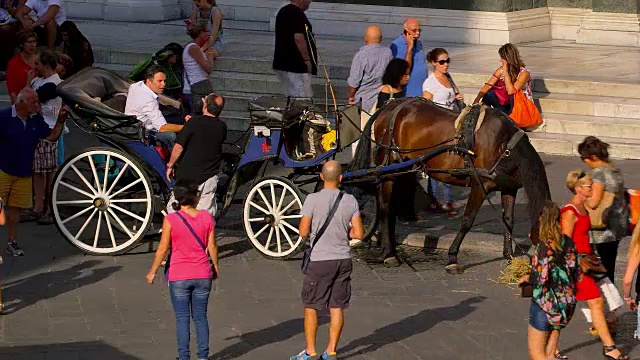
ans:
(613, 127)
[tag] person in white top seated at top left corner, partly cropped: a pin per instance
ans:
(50, 15)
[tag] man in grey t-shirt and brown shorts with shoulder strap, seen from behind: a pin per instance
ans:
(327, 280)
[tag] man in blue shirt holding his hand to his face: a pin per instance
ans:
(408, 47)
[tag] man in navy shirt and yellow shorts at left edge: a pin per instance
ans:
(21, 127)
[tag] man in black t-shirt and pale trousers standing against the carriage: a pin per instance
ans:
(198, 147)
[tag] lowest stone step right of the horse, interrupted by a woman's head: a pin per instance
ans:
(564, 144)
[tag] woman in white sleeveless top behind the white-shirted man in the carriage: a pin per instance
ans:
(197, 64)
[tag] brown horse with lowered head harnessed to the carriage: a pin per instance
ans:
(420, 124)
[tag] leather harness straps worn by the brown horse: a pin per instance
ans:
(469, 121)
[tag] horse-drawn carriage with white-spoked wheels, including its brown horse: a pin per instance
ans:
(106, 199)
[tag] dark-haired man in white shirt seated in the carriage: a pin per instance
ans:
(142, 101)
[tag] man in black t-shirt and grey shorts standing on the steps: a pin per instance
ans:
(295, 55)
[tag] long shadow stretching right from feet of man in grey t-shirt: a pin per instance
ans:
(410, 326)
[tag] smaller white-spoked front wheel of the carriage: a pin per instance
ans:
(271, 218)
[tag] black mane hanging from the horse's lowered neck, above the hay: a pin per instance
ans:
(533, 177)
